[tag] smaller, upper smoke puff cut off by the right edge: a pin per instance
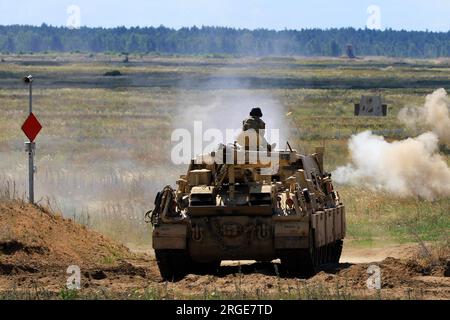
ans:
(434, 115)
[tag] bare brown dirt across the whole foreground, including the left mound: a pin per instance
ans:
(33, 265)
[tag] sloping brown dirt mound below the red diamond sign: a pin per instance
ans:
(32, 238)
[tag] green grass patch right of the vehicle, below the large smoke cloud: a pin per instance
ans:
(374, 218)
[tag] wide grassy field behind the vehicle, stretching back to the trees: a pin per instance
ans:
(105, 147)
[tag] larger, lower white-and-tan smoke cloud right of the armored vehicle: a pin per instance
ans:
(411, 167)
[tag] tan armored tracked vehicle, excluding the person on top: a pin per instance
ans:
(239, 204)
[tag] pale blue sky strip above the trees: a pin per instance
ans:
(273, 14)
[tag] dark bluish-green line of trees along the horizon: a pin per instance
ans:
(223, 40)
